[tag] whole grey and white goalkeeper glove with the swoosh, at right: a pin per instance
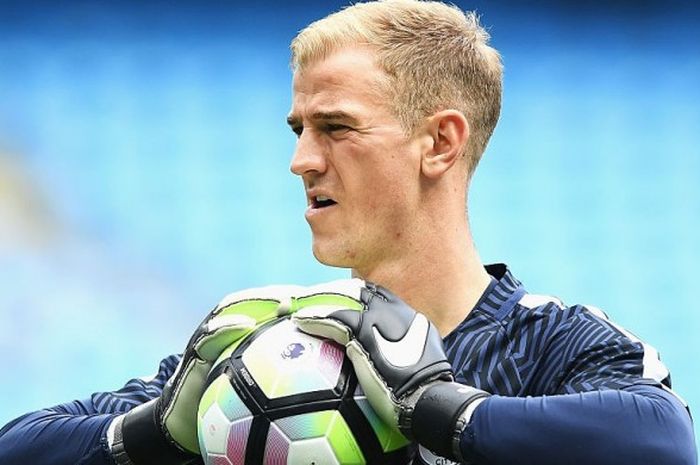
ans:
(400, 363)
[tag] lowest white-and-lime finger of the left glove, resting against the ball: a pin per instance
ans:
(221, 332)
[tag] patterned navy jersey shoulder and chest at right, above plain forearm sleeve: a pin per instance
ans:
(518, 344)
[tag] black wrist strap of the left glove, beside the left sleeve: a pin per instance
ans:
(144, 442)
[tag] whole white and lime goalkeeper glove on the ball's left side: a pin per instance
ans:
(164, 430)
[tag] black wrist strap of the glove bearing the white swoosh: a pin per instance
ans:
(439, 416)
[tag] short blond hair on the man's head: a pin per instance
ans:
(435, 55)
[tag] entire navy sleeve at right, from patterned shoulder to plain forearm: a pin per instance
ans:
(608, 402)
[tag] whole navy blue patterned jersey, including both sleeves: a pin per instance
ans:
(568, 387)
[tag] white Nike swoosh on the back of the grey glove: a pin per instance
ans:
(408, 350)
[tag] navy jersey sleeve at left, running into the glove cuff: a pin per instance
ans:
(75, 432)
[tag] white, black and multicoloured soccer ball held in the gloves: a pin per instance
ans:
(283, 397)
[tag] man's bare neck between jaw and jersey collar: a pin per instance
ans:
(442, 278)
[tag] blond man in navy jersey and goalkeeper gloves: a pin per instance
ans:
(393, 105)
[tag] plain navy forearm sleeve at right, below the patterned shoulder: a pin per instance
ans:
(638, 424)
